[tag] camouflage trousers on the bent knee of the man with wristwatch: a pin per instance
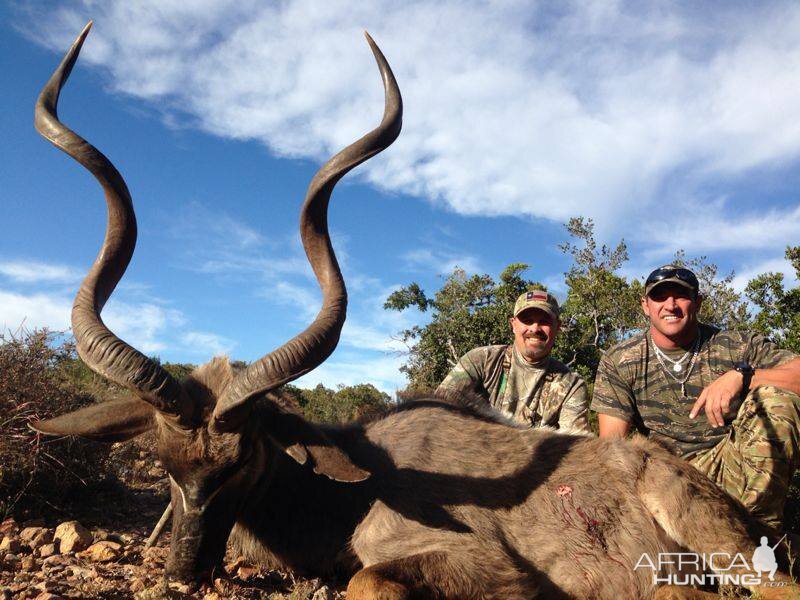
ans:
(757, 459)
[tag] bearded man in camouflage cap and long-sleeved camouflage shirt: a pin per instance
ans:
(522, 380)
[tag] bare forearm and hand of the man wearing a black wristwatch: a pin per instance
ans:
(716, 397)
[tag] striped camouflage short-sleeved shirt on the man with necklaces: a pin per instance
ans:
(632, 385)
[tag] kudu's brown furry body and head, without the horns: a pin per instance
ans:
(438, 497)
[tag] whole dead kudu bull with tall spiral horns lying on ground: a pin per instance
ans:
(432, 499)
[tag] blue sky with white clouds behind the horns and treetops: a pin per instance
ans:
(673, 125)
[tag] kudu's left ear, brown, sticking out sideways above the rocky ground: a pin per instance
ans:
(113, 421)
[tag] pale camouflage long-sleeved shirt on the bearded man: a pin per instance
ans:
(546, 394)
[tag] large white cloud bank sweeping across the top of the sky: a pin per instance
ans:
(511, 109)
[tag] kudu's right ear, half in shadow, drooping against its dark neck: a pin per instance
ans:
(301, 440)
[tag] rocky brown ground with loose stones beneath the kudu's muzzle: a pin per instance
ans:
(99, 553)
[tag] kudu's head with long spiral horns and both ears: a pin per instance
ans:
(206, 441)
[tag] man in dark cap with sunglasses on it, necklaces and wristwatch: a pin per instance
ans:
(726, 401)
